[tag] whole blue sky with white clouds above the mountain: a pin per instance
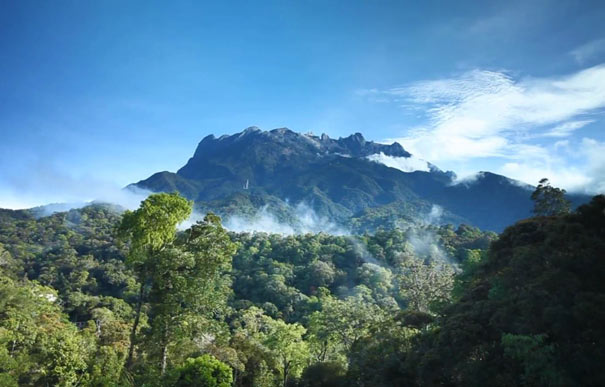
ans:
(95, 95)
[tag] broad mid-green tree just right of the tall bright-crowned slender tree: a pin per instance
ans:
(189, 287)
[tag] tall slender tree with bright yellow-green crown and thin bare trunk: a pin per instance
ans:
(149, 230)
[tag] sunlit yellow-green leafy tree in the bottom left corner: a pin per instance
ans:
(38, 345)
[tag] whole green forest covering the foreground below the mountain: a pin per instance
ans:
(98, 296)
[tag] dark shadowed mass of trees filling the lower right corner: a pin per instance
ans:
(532, 311)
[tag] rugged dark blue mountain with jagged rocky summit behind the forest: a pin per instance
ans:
(349, 181)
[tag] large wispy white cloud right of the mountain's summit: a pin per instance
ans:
(491, 114)
